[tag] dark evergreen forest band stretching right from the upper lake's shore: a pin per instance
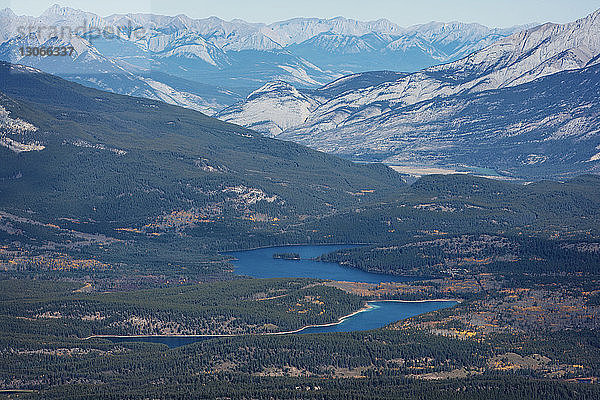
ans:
(468, 254)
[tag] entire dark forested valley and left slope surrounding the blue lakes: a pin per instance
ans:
(121, 222)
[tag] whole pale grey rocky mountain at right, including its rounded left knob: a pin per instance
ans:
(521, 106)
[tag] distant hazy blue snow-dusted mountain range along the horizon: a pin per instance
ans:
(209, 64)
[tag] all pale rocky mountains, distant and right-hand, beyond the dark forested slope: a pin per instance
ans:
(515, 102)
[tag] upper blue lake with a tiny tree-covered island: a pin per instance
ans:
(260, 263)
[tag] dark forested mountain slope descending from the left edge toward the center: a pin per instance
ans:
(75, 152)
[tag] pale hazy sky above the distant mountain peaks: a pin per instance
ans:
(497, 13)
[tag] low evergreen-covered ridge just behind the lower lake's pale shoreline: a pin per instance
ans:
(238, 307)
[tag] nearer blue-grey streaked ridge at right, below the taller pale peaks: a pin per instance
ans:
(547, 128)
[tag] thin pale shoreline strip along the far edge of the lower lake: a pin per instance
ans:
(365, 308)
